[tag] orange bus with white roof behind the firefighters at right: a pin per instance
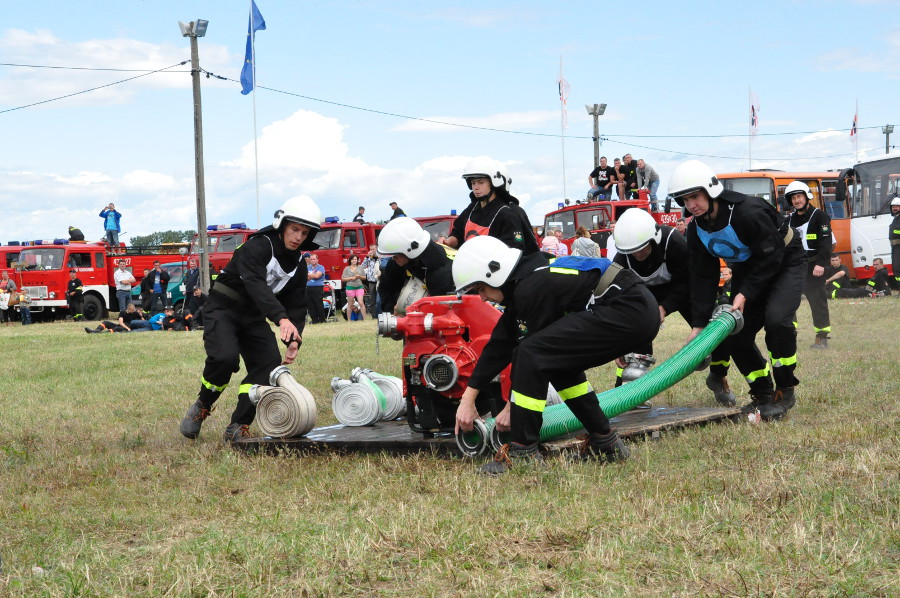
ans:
(828, 195)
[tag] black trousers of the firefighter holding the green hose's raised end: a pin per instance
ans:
(773, 310)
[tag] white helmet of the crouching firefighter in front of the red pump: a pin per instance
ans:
(484, 259)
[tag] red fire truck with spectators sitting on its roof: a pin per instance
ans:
(596, 216)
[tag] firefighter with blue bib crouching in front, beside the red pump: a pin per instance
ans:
(547, 307)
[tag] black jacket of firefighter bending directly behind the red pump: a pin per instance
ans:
(433, 267)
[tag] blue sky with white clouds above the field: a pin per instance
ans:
(666, 70)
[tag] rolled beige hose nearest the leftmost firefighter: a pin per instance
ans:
(286, 409)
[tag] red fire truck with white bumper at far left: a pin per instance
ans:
(43, 273)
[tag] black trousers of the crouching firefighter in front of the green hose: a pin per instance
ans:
(560, 353)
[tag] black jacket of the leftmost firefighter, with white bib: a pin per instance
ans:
(258, 261)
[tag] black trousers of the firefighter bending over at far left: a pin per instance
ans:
(232, 333)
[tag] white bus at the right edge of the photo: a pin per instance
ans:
(869, 188)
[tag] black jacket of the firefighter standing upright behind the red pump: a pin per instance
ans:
(507, 221)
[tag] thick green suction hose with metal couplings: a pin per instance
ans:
(558, 420)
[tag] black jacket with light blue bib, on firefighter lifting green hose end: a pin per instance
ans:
(759, 226)
